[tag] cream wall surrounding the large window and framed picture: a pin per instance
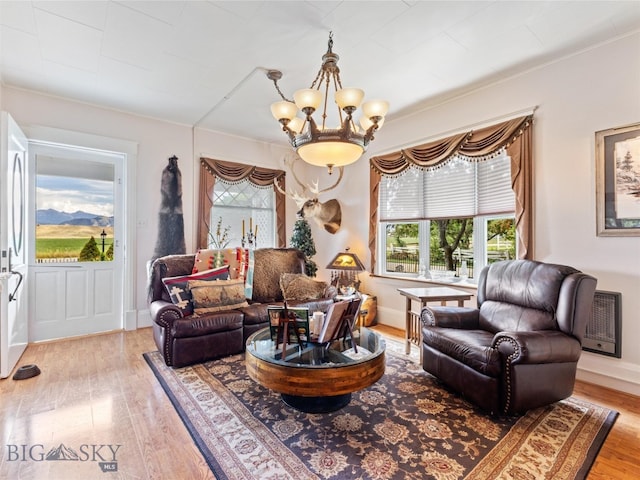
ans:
(594, 90)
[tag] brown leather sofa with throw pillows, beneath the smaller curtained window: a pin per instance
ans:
(185, 340)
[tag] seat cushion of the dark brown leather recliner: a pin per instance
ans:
(469, 347)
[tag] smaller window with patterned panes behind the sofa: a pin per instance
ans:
(238, 203)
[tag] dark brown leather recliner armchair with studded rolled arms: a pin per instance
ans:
(519, 348)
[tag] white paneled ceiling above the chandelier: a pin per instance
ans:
(203, 63)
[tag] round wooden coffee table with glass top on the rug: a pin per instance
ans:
(314, 377)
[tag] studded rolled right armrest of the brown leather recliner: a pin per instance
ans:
(542, 346)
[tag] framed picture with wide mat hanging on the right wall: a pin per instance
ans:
(618, 181)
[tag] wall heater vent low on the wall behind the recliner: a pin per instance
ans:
(603, 329)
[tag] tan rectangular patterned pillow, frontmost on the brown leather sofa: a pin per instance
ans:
(216, 296)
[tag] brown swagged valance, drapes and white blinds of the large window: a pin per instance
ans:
(458, 195)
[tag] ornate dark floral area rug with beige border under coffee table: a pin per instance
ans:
(406, 426)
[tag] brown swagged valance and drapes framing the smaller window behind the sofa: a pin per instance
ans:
(235, 174)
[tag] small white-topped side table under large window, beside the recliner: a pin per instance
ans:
(413, 329)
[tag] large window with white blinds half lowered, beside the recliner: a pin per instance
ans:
(449, 221)
